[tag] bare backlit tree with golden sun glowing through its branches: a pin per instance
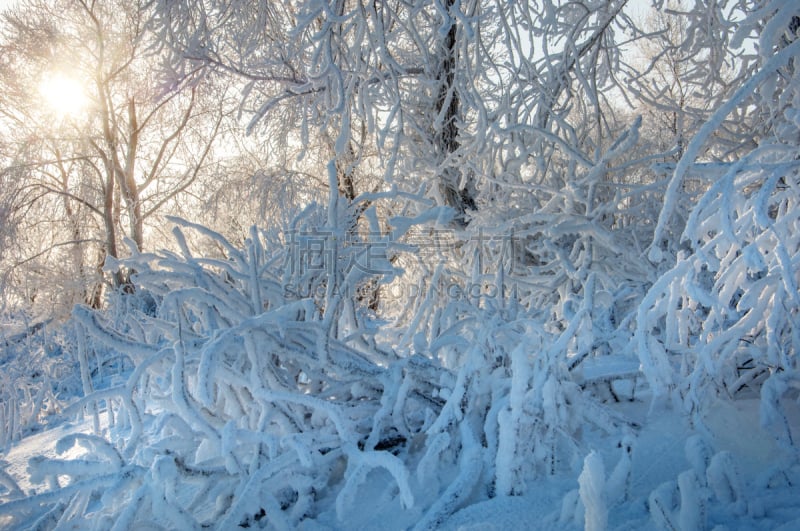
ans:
(121, 159)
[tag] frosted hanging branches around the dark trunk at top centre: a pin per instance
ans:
(450, 94)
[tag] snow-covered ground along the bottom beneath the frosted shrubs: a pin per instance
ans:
(760, 479)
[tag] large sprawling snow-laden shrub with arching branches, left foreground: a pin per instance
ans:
(241, 387)
